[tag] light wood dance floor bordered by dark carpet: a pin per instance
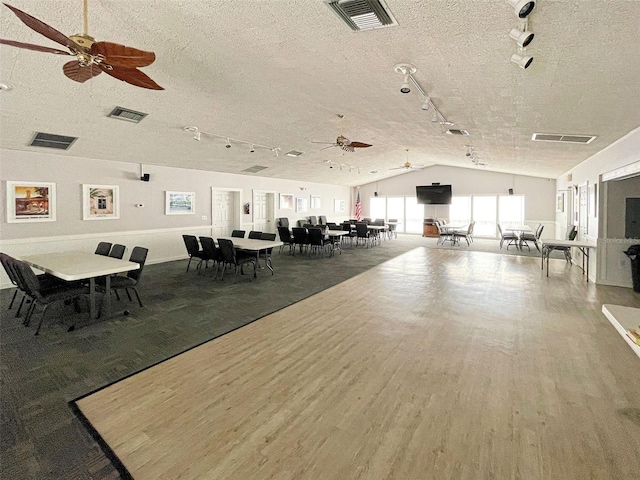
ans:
(434, 365)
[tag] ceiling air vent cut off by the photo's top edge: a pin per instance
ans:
(363, 14)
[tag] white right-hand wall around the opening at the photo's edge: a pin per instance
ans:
(609, 265)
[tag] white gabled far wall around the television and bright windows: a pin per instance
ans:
(539, 192)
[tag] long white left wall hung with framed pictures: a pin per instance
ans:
(148, 226)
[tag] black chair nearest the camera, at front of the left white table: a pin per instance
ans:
(43, 296)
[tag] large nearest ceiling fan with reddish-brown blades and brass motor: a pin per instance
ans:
(92, 57)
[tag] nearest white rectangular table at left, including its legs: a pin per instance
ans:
(74, 266)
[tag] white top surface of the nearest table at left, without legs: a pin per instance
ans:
(71, 266)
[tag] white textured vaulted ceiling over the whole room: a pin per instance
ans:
(276, 73)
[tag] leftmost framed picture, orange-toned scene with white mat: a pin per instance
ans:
(29, 202)
